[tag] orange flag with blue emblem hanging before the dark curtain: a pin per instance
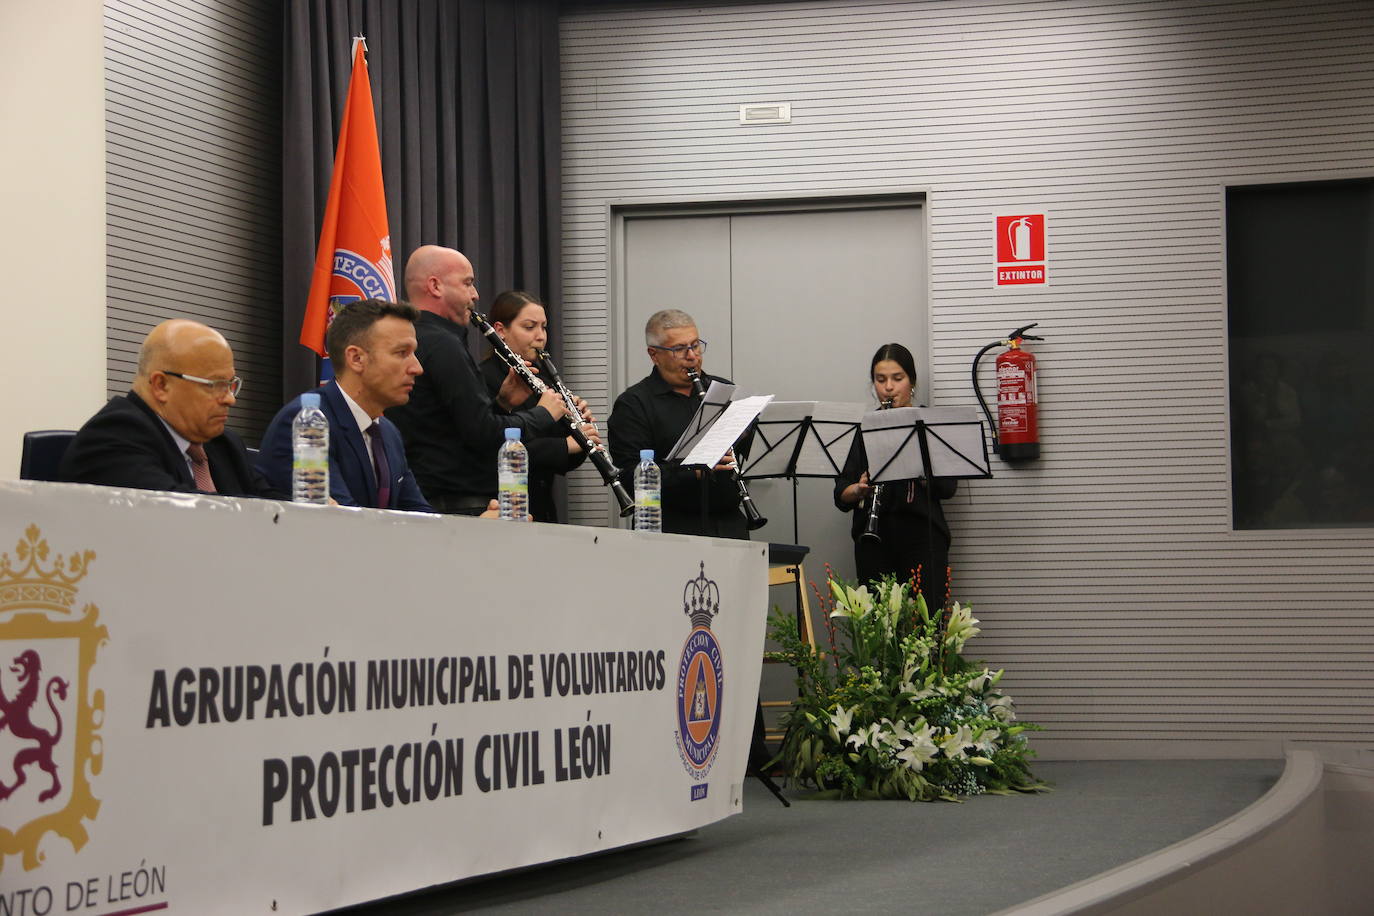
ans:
(355, 256)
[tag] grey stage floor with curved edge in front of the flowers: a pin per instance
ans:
(886, 858)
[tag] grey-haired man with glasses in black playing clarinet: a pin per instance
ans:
(653, 414)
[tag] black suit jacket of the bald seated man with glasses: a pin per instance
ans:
(127, 446)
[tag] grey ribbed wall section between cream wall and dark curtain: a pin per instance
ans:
(193, 187)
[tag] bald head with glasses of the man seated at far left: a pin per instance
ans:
(177, 350)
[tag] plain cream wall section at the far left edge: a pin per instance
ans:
(53, 230)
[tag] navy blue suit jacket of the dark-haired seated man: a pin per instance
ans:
(352, 479)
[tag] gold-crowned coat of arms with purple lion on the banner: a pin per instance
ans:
(50, 718)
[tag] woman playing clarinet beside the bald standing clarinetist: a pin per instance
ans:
(521, 321)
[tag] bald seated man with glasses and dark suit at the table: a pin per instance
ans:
(168, 432)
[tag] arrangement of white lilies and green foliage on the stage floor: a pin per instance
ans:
(894, 709)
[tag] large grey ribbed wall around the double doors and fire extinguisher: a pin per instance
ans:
(1131, 619)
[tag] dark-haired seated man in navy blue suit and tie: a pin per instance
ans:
(372, 347)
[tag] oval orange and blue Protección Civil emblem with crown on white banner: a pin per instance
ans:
(701, 676)
